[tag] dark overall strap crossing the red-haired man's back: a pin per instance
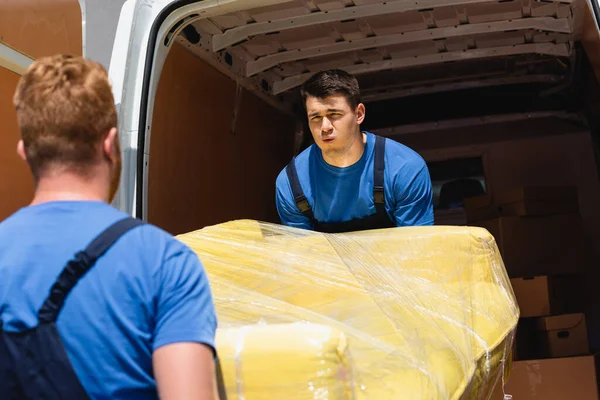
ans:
(77, 267)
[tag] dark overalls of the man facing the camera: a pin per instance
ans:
(379, 220)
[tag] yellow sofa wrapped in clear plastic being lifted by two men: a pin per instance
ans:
(401, 313)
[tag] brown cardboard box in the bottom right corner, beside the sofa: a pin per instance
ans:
(551, 379)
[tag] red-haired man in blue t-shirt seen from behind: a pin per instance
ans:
(93, 303)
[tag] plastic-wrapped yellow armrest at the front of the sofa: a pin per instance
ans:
(277, 361)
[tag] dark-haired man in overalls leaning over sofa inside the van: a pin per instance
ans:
(350, 180)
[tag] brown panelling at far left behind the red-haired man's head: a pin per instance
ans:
(37, 28)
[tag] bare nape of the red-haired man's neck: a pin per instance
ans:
(67, 186)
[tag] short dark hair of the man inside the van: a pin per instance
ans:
(333, 82)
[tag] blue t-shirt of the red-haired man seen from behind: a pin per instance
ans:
(147, 291)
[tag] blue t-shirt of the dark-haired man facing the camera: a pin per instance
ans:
(341, 194)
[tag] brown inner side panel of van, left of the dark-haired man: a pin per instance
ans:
(202, 170)
